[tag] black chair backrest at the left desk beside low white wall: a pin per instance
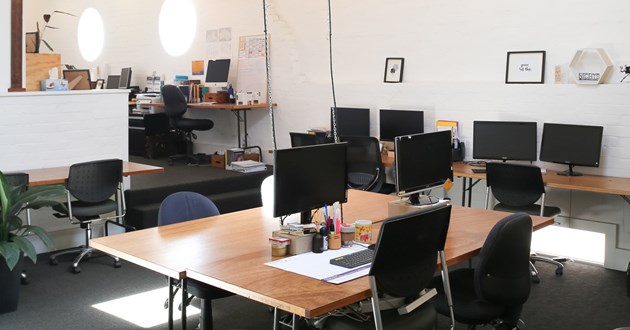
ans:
(95, 181)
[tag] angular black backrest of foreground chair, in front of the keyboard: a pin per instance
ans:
(407, 250)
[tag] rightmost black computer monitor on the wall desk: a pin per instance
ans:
(573, 145)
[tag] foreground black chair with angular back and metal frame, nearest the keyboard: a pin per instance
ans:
(404, 263)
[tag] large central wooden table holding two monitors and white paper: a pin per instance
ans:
(229, 251)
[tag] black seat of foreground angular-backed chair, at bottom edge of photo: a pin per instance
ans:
(423, 317)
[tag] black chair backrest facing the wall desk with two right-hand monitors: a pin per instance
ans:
(514, 184)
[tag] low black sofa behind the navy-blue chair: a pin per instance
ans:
(230, 194)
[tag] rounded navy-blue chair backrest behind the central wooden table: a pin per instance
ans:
(184, 206)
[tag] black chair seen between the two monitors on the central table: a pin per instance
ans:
(365, 166)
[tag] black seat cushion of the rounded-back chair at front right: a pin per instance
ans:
(467, 307)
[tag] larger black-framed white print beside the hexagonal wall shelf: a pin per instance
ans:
(526, 67)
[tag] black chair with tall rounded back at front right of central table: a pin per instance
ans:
(495, 290)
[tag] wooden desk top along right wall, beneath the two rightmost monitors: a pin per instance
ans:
(590, 183)
